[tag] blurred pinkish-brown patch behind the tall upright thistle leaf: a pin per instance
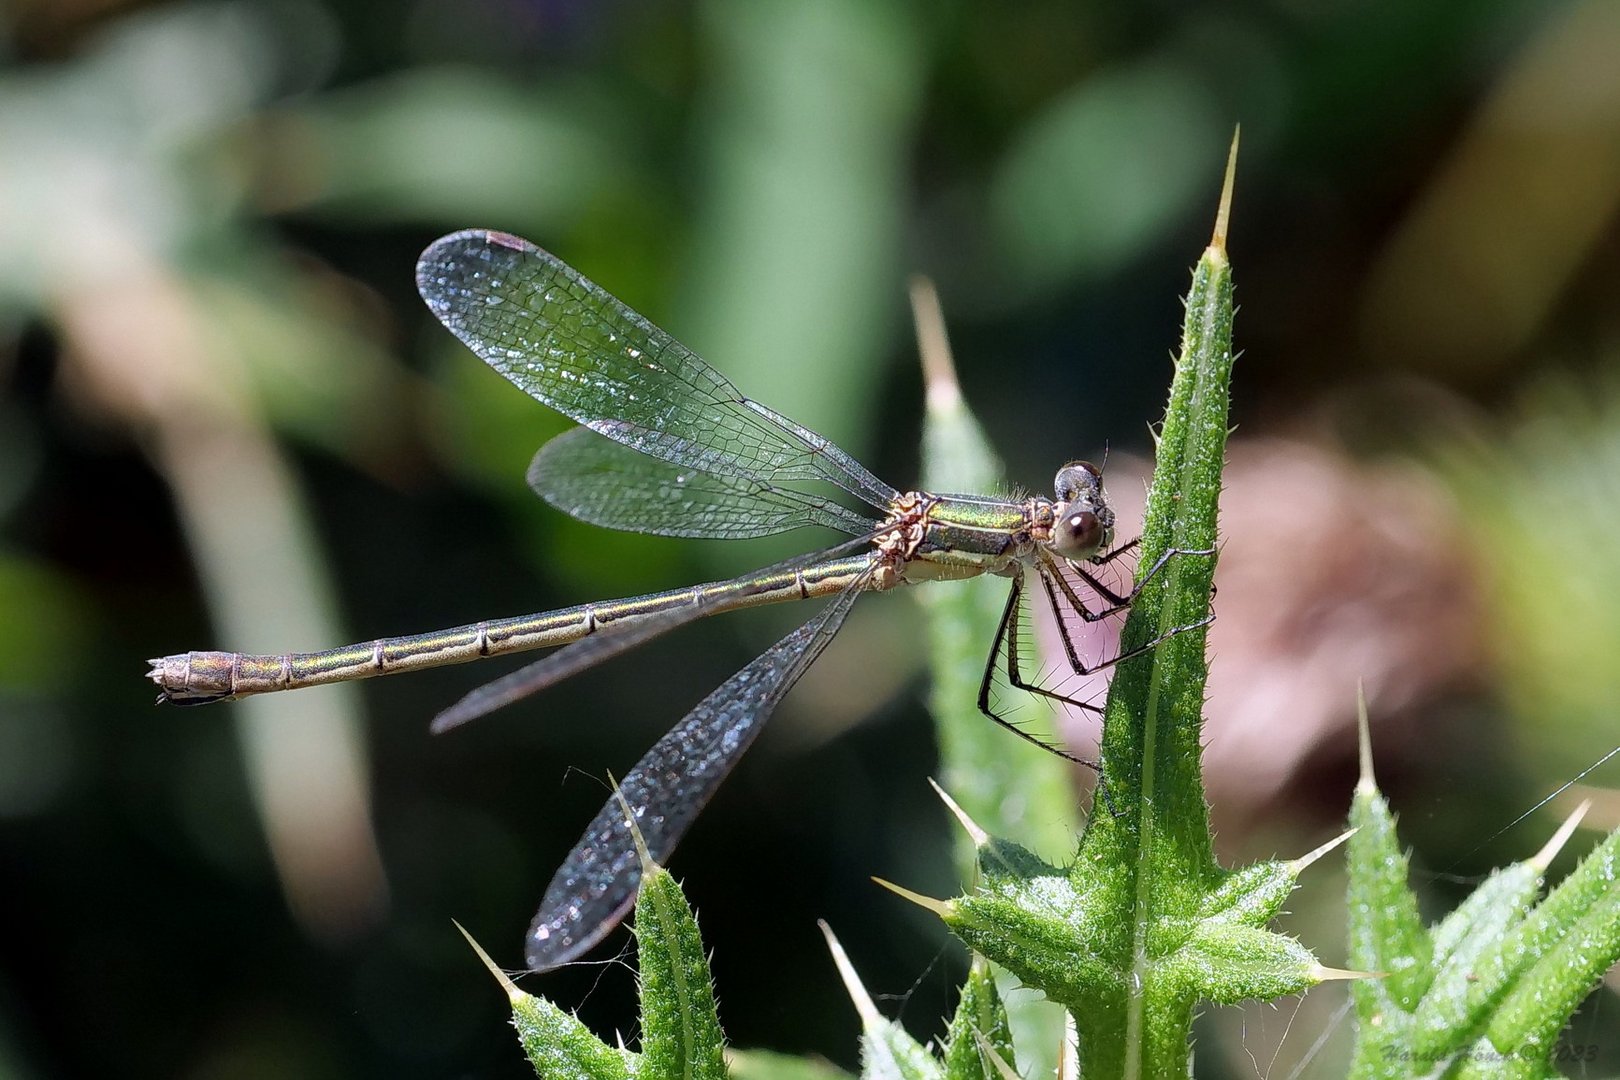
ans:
(1331, 574)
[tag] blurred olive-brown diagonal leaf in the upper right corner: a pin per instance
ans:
(1527, 195)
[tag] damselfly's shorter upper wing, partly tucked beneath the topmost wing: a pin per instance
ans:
(610, 485)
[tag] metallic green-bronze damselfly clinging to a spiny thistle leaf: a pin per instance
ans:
(671, 448)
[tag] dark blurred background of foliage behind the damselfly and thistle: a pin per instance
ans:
(228, 422)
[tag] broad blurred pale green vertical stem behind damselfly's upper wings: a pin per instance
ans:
(793, 279)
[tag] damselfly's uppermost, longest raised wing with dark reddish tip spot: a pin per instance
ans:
(573, 346)
